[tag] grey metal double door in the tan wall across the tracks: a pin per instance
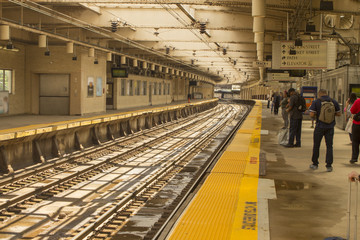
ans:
(54, 94)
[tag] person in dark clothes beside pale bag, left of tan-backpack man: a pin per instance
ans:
(295, 119)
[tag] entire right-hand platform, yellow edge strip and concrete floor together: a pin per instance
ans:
(290, 202)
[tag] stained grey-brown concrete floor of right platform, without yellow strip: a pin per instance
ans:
(310, 204)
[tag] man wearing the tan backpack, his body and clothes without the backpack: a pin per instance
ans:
(323, 129)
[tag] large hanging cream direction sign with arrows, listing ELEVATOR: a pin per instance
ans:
(317, 54)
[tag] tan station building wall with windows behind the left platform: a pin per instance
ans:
(87, 82)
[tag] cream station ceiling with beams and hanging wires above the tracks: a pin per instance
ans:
(168, 32)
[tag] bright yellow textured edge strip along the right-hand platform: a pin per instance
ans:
(222, 211)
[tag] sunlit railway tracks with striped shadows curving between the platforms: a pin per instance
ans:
(93, 194)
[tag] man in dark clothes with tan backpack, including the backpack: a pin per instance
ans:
(325, 109)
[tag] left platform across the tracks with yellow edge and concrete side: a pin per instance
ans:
(29, 140)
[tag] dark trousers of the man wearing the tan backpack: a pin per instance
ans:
(329, 136)
